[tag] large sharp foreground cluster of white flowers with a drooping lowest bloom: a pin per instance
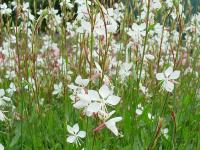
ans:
(95, 103)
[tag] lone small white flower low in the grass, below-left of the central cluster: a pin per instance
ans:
(75, 135)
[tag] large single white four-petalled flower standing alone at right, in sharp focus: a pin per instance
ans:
(168, 78)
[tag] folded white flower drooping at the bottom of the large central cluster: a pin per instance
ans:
(111, 125)
